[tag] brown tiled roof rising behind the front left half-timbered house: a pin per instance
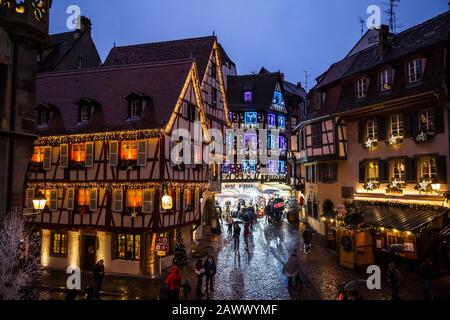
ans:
(198, 48)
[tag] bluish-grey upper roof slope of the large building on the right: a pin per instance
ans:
(420, 36)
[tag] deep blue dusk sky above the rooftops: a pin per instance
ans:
(287, 35)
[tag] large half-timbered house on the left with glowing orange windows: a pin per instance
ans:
(104, 159)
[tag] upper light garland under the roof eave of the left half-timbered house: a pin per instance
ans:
(103, 136)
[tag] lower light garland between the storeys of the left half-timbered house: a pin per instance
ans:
(112, 185)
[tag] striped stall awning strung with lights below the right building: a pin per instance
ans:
(405, 219)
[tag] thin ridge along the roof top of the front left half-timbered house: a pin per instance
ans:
(117, 67)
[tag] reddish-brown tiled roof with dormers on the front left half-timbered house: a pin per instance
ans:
(109, 86)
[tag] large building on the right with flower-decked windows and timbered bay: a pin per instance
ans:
(376, 135)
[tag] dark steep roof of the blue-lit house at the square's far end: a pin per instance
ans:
(262, 85)
